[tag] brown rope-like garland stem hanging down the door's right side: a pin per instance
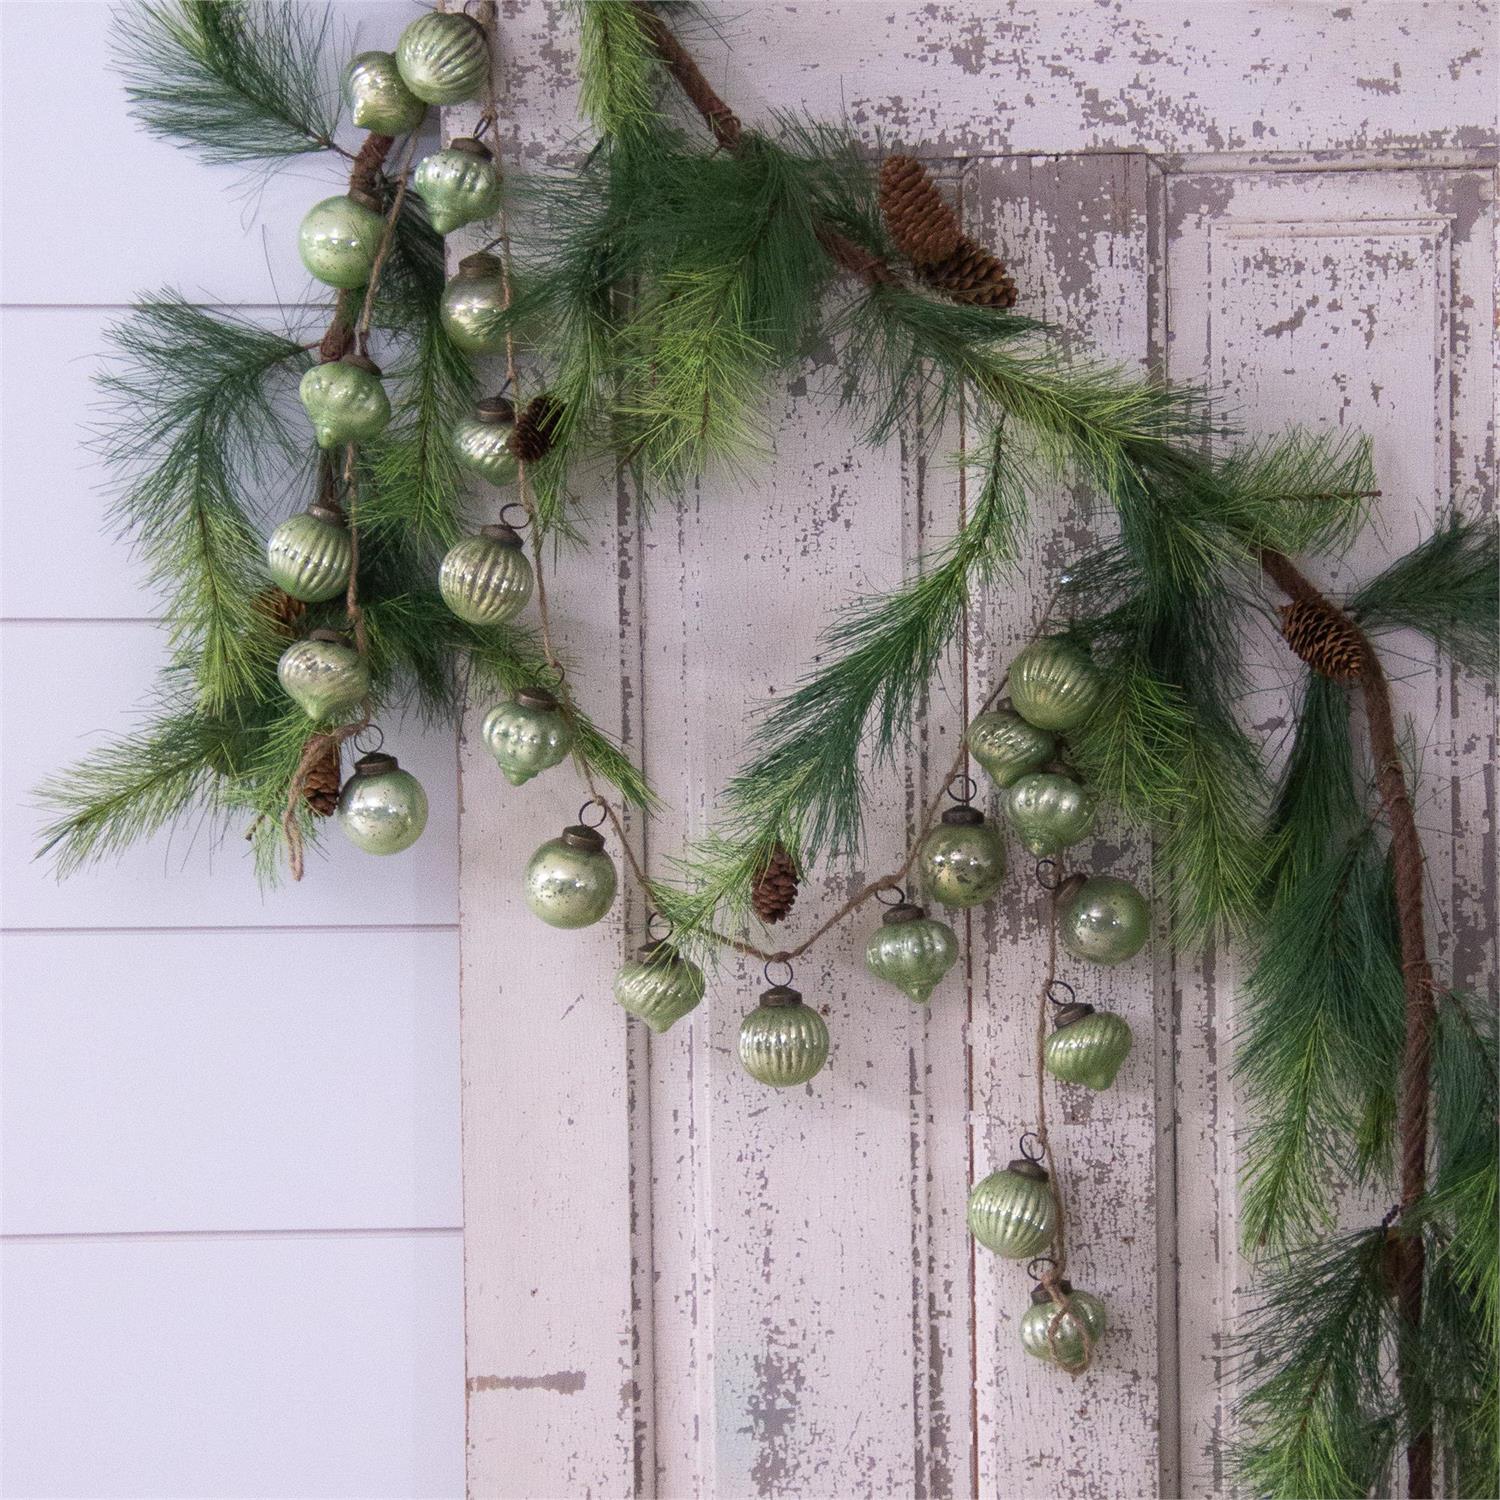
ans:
(1421, 1004)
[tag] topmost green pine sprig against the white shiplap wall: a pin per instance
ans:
(230, 80)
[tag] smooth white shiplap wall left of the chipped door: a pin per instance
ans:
(232, 1202)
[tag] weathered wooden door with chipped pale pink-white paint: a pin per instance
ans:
(680, 1285)
